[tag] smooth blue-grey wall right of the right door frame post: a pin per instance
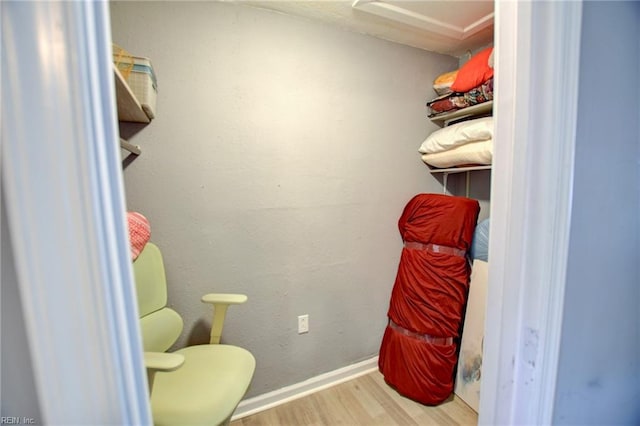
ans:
(599, 370)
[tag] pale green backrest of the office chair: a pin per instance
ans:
(160, 325)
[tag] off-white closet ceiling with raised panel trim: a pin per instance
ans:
(452, 27)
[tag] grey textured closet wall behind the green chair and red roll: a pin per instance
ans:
(280, 160)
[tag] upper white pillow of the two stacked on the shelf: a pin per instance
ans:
(479, 129)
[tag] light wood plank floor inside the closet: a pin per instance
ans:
(366, 400)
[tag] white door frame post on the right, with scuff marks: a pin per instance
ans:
(537, 69)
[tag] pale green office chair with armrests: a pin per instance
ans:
(196, 385)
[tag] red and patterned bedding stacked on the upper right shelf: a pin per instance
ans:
(472, 84)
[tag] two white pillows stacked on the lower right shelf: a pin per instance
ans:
(462, 144)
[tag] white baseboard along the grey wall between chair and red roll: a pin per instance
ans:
(272, 399)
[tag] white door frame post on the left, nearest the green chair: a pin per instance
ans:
(62, 184)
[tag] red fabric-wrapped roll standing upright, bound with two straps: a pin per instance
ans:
(419, 348)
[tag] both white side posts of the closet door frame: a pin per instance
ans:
(64, 193)
